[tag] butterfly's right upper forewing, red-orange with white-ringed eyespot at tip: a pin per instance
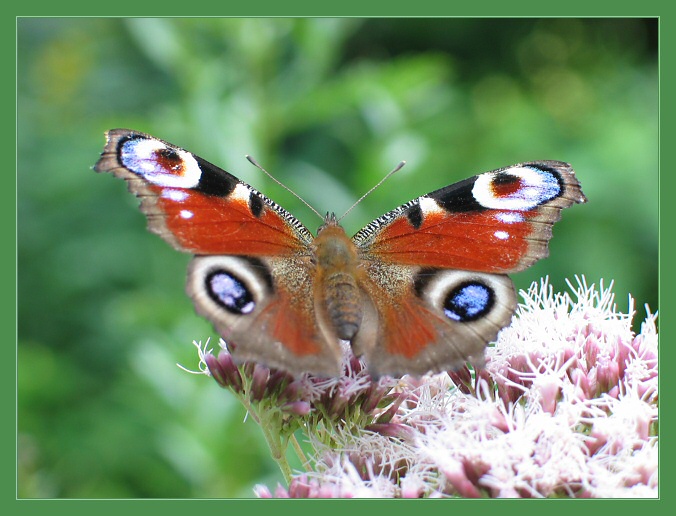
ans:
(500, 221)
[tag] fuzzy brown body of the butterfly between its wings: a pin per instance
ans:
(337, 292)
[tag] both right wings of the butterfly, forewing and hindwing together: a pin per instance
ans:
(435, 282)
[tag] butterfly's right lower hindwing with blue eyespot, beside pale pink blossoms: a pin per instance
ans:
(428, 319)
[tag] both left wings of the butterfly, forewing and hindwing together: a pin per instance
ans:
(251, 276)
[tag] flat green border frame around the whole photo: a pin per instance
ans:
(305, 8)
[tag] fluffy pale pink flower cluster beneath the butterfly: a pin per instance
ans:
(565, 406)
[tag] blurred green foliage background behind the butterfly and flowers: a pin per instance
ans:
(328, 106)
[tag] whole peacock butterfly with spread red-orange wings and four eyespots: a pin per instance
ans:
(423, 288)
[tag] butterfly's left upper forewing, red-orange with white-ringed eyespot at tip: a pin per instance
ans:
(196, 206)
